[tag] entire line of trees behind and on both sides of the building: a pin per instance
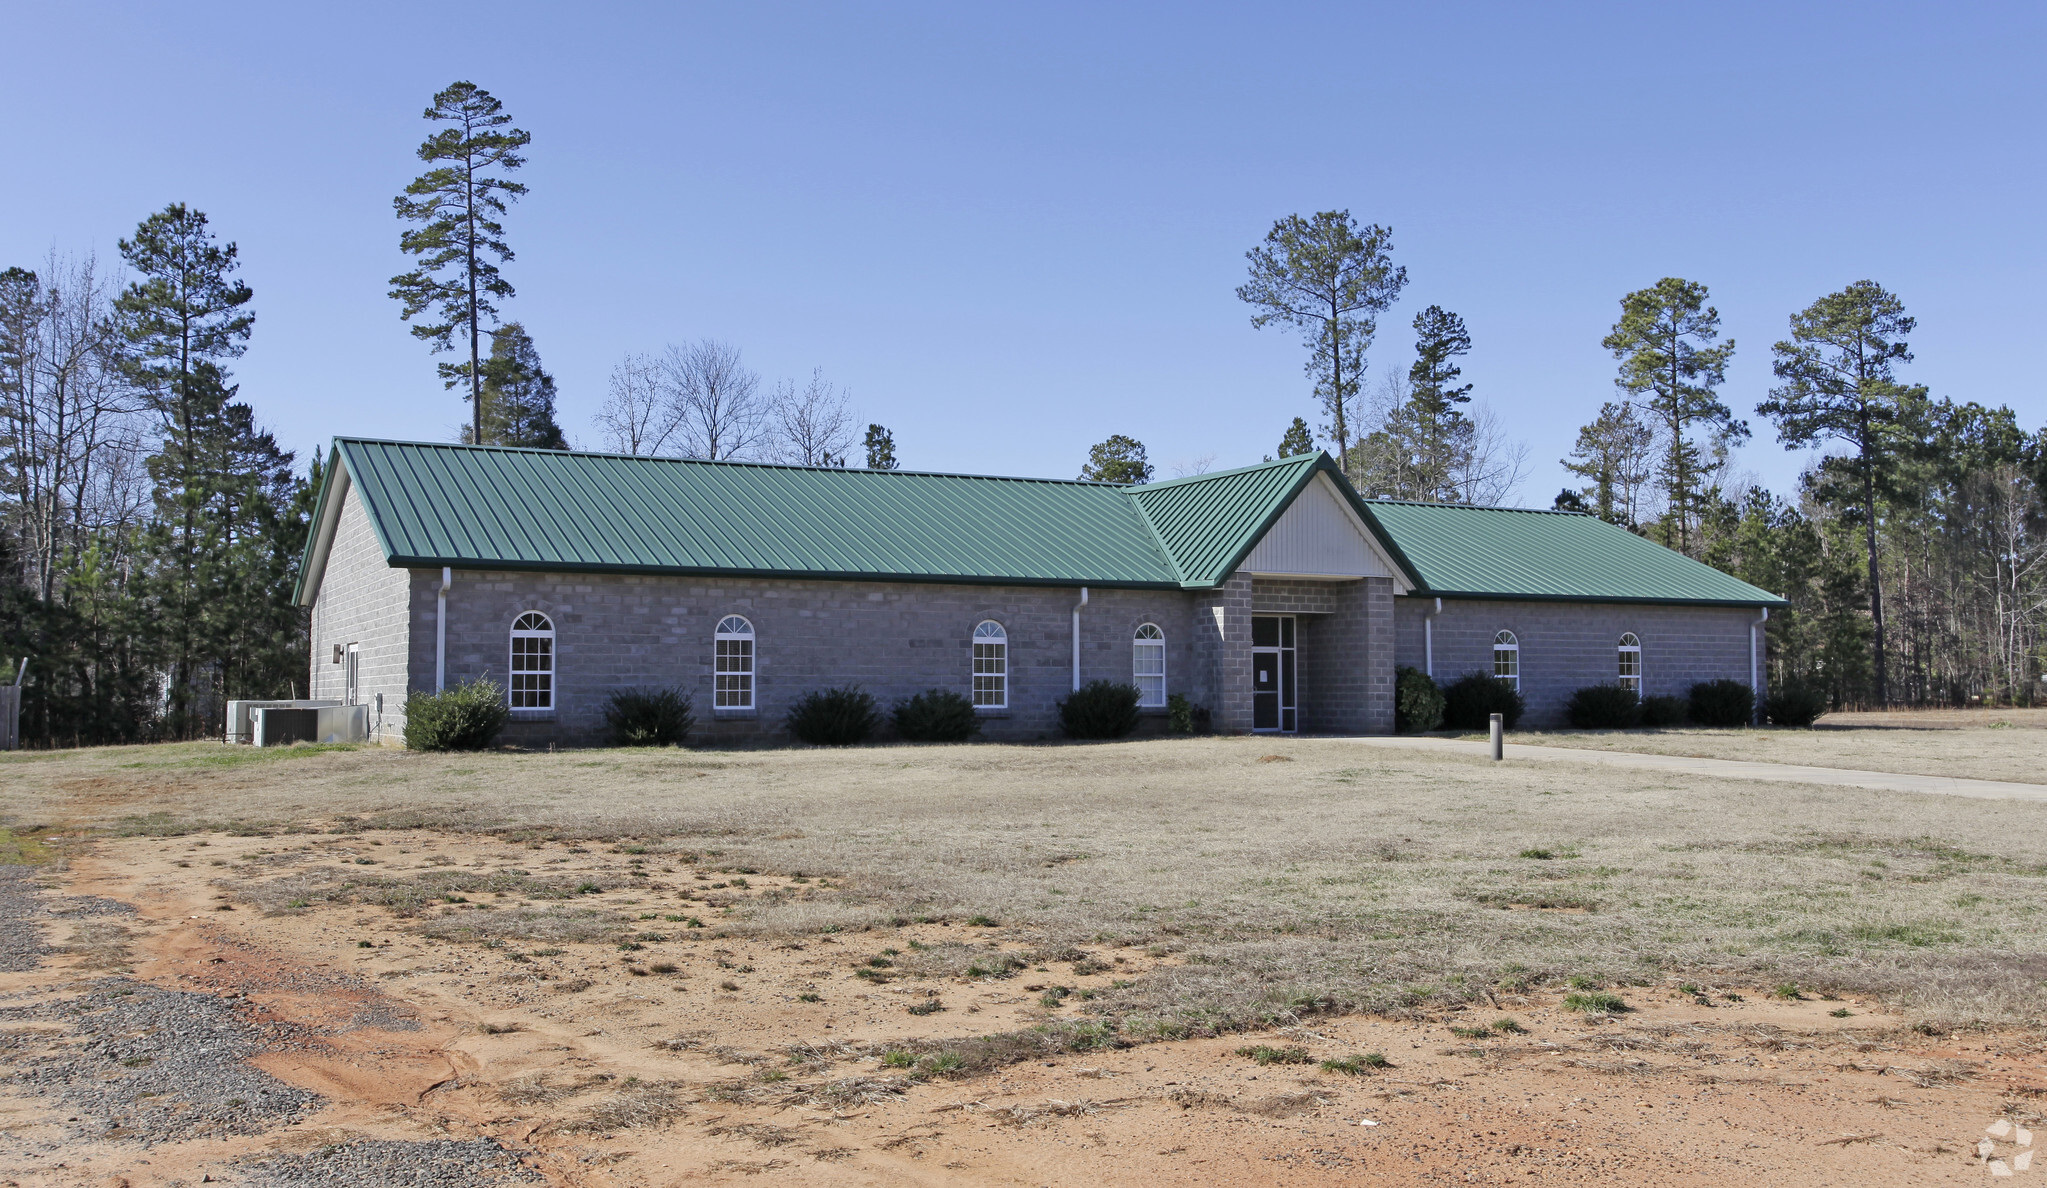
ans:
(150, 529)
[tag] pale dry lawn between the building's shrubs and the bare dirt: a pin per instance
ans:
(1278, 878)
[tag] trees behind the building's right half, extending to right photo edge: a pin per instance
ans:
(1913, 548)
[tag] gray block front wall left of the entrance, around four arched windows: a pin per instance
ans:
(891, 638)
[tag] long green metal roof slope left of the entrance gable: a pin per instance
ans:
(515, 509)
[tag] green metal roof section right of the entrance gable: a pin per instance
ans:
(1465, 552)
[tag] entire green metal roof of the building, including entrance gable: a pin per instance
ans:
(515, 509)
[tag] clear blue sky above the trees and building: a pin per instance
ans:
(1014, 232)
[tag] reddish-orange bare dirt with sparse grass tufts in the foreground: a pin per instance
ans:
(660, 1042)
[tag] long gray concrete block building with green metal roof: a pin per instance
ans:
(1272, 595)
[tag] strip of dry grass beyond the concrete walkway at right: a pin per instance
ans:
(1985, 745)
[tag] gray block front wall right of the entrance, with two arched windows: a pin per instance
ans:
(1567, 646)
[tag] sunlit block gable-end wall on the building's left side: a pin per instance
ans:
(365, 603)
